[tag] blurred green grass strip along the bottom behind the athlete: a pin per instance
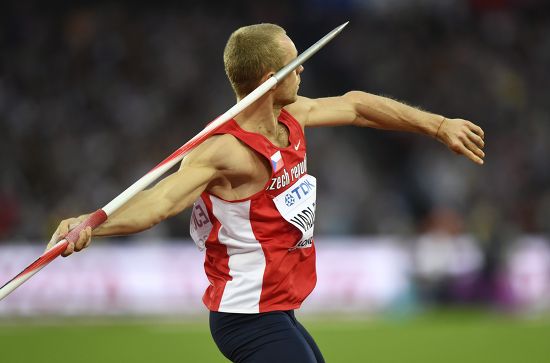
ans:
(446, 337)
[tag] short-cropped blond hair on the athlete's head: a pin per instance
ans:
(250, 52)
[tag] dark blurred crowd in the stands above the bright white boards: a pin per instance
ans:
(92, 95)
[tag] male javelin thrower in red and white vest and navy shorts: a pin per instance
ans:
(254, 202)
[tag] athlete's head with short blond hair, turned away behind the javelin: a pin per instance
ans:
(254, 53)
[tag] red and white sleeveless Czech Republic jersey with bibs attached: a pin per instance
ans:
(260, 254)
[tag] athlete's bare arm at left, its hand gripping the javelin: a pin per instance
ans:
(167, 198)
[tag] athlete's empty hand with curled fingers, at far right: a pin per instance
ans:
(463, 137)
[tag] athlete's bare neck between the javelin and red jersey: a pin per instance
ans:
(260, 117)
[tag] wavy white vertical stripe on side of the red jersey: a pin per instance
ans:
(246, 257)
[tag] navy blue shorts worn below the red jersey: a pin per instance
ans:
(275, 337)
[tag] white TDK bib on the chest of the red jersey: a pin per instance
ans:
(297, 206)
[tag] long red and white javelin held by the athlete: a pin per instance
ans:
(98, 217)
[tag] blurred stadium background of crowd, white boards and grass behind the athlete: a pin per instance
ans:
(423, 256)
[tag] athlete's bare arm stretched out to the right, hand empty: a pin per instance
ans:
(368, 110)
